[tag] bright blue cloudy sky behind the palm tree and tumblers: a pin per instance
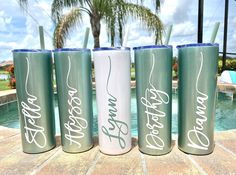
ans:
(19, 29)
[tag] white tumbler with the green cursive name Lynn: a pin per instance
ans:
(112, 74)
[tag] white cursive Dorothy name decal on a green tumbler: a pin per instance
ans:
(152, 100)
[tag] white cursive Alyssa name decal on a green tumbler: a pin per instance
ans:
(76, 124)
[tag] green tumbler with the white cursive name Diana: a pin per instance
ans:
(197, 97)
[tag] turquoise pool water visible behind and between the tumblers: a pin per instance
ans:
(225, 114)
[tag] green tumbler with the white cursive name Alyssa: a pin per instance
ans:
(74, 89)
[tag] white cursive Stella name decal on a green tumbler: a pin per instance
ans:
(31, 112)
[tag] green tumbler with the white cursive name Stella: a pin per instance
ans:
(33, 71)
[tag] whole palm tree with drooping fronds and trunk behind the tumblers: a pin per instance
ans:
(114, 13)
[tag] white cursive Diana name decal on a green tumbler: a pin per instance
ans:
(197, 139)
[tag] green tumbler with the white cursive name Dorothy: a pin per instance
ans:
(153, 66)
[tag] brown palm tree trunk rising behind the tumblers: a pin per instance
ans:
(96, 26)
